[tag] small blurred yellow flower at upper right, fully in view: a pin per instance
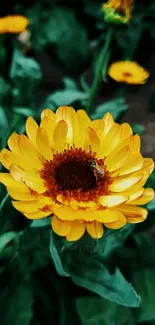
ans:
(128, 72)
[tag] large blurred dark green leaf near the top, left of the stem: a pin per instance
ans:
(69, 37)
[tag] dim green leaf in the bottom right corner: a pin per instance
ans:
(144, 283)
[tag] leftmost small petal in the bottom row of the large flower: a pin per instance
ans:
(61, 228)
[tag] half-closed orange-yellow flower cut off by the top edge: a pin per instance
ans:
(119, 6)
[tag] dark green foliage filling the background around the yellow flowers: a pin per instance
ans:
(44, 279)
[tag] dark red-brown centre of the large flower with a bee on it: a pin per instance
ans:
(73, 173)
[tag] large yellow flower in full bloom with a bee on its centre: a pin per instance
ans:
(87, 174)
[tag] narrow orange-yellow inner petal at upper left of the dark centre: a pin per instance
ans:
(43, 143)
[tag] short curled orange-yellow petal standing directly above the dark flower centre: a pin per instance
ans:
(91, 140)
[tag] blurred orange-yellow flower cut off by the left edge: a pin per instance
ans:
(13, 24)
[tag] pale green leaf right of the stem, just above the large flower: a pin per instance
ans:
(116, 107)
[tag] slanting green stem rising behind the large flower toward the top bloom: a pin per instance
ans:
(101, 69)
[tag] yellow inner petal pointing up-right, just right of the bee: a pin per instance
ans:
(115, 161)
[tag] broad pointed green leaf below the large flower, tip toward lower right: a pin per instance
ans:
(94, 276)
